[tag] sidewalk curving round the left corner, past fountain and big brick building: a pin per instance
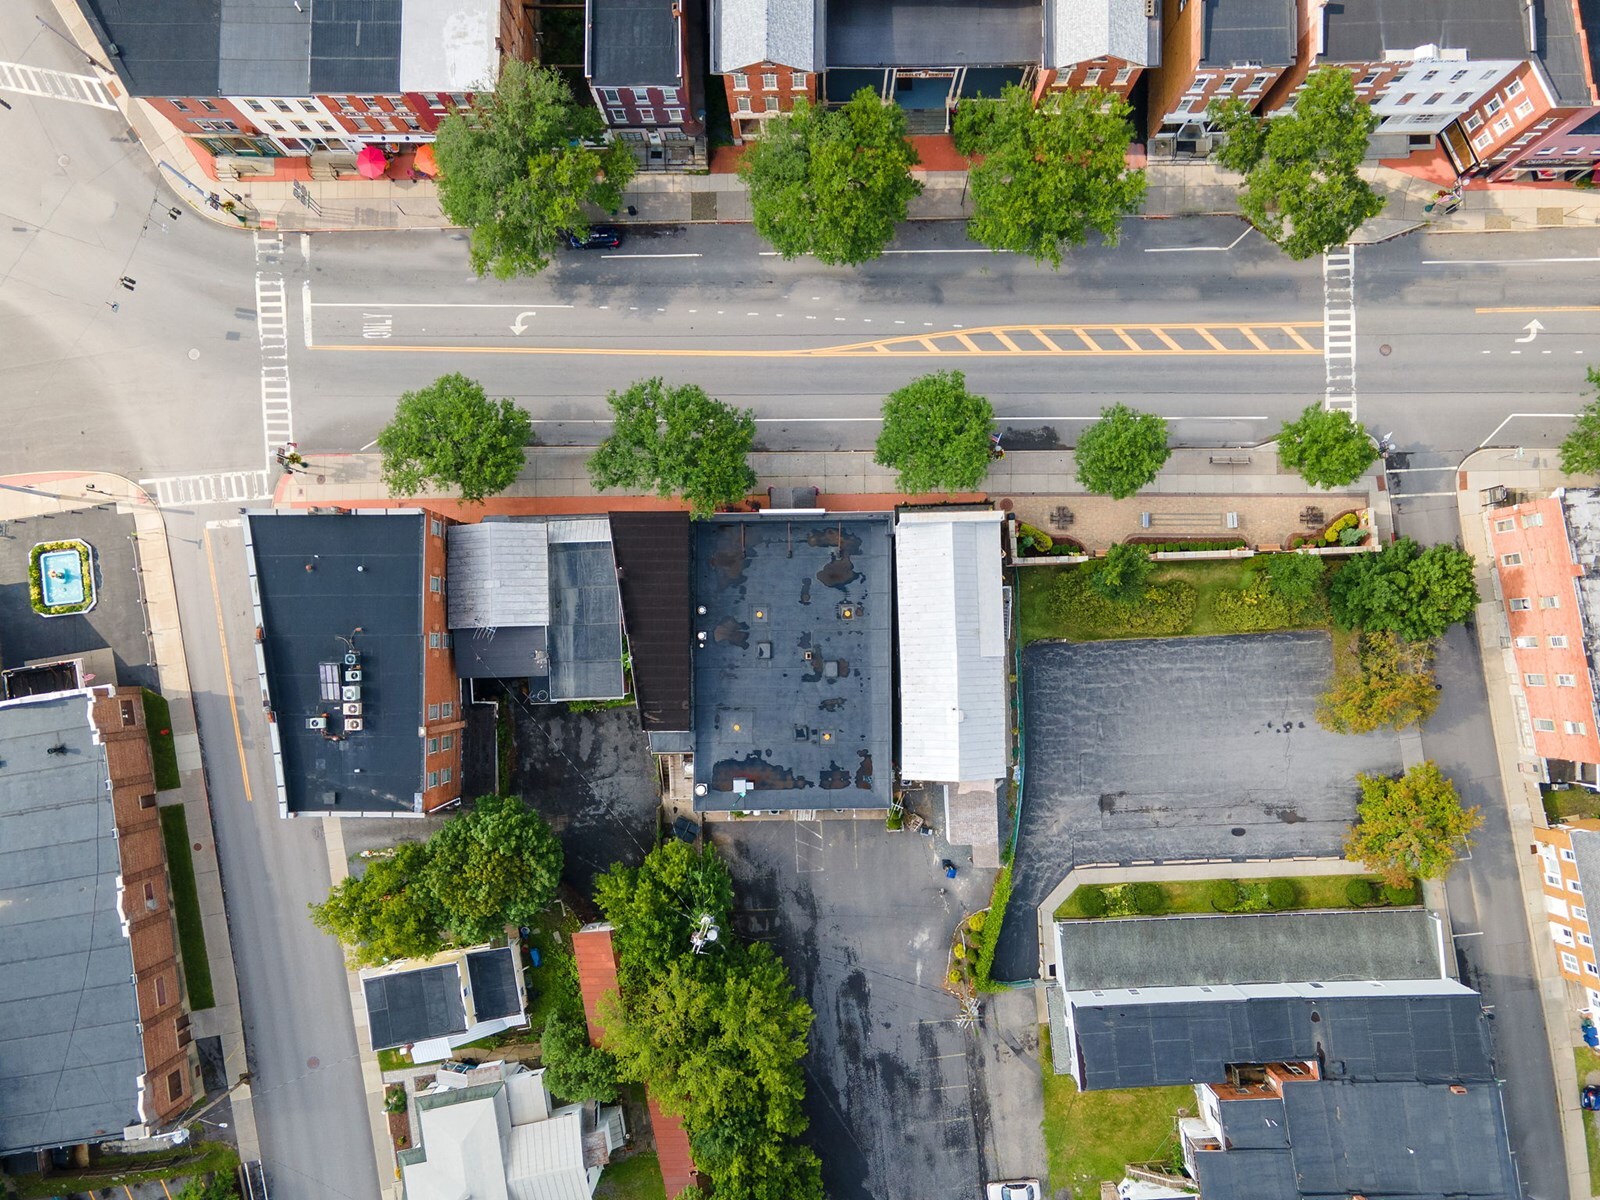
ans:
(63, 492)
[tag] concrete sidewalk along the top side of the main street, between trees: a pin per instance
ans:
(1175, 190)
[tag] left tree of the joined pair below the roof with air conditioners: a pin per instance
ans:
(386, 913)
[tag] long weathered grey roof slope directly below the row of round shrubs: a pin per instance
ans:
(1258, 948)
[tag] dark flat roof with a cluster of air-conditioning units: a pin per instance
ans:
(306, 617)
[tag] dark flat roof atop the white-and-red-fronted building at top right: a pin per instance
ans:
(1364, 31)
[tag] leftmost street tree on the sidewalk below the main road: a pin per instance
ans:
(452, 436)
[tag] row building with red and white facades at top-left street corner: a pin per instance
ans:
(250, 81)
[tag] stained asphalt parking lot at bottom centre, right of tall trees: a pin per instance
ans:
(905, 1103)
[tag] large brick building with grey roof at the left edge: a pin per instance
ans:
(84, 1055)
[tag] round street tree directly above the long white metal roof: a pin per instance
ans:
(937, 434)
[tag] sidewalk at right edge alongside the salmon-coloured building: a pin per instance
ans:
(1538, 473)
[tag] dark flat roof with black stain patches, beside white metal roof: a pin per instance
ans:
(793, 682)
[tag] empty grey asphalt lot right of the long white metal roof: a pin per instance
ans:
(1177, 750)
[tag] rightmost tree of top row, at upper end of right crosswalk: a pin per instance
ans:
(1303, 188)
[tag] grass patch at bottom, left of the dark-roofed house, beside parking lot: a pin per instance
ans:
(1092, 1137)
